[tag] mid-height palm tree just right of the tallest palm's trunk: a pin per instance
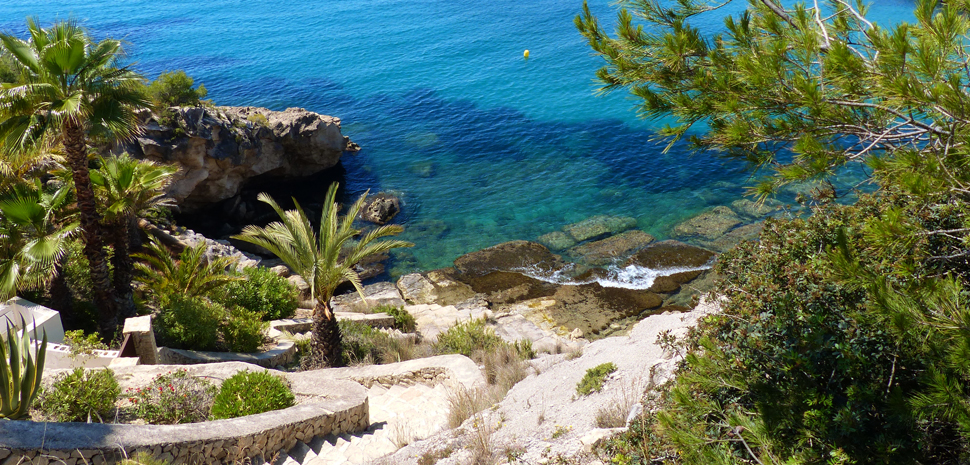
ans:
(128, 188)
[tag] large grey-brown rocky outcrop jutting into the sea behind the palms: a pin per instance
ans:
(220, 149)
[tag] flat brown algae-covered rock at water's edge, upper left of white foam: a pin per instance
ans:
(508, 256)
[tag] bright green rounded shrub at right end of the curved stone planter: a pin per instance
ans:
(251, 392)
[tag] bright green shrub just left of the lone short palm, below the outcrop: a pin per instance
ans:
(262, 291)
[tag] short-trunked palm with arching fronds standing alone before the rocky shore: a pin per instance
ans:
(324, 259)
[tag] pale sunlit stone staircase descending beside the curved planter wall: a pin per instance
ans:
(399, 415)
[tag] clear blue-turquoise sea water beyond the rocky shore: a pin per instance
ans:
(509, 148)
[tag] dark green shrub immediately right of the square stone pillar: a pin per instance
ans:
(189, 322)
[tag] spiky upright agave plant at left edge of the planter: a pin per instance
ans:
(20, 372)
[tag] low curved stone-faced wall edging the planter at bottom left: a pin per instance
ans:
(222, 441)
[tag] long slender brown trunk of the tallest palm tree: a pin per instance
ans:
(104, 295)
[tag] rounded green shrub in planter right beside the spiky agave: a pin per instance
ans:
(81, 395)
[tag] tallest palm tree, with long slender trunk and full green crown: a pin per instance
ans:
(71, 89)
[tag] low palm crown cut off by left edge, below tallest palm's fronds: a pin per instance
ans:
(33, 239)
